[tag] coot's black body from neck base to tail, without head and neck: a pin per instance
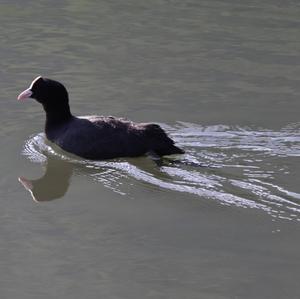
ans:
(97, 137)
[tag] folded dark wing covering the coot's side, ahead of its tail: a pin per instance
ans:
(97, 137)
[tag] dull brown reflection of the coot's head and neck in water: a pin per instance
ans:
(53, 184)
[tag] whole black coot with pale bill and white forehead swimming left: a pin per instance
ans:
(95, 137)
